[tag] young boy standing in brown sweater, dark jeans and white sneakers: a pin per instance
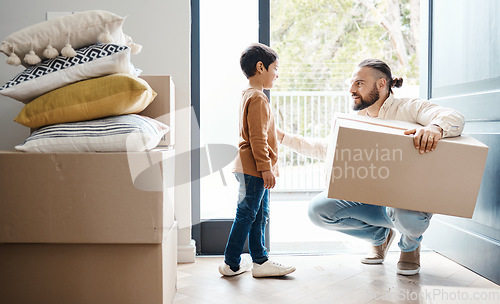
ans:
(255, 168)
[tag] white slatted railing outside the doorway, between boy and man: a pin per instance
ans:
(310, 114)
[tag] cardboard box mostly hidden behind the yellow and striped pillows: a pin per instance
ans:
(163, 107)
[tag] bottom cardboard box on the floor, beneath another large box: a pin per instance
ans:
(89, 273)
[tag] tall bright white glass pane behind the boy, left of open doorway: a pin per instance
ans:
(227, 27)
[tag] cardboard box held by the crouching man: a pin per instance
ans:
(375, 163)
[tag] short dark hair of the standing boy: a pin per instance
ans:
(255, 53)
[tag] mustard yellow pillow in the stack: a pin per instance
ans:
(112, 95)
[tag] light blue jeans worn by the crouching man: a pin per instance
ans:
(369, 222)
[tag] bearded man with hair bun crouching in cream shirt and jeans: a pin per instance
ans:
(371, 91)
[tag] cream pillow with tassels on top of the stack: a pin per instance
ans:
(78, 30)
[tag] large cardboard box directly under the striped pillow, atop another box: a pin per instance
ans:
(86, 198)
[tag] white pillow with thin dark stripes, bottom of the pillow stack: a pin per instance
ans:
(125, 133)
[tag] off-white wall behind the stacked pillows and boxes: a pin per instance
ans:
(162, 27)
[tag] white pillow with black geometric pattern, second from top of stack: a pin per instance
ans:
(90, 61)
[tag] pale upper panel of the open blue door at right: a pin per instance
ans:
(458, 65)
